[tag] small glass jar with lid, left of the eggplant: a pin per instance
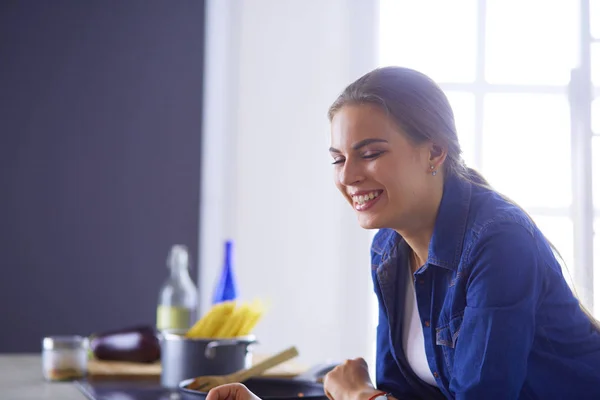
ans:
(64, 357)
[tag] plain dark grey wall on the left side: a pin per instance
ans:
(100, 129)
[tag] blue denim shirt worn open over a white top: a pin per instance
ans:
(499, 320)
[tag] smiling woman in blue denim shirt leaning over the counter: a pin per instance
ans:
(472, 300)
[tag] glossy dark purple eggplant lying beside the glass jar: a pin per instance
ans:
(139, 344)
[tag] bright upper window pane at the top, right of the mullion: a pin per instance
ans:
(530, 41)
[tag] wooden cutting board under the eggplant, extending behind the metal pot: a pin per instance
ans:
(118, 370)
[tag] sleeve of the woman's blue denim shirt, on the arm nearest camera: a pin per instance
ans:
(504, 286)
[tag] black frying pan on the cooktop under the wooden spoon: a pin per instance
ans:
(302, 387)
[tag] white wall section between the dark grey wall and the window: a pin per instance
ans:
(273, 68)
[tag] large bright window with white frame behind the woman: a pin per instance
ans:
(506, 68)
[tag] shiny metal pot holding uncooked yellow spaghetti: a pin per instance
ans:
(183, 358)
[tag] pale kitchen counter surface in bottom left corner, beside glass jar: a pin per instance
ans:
(21, 378)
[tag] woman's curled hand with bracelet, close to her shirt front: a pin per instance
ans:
(349, 381)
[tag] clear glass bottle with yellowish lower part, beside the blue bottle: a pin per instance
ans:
(178, 299)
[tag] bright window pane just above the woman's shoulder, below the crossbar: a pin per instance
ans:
(527, 148)
